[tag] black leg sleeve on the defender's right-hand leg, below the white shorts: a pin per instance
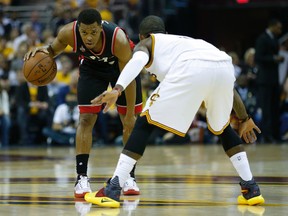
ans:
(230, 138)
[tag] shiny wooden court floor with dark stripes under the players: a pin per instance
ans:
(174, 180)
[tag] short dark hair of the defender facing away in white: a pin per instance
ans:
(151, 24)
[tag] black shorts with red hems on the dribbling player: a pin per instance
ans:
(92, 83)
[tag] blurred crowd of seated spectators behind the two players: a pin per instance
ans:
(28, 114)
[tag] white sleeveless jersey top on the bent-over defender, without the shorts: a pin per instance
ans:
(170, 49)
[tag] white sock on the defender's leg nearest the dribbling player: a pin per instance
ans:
(123, 169)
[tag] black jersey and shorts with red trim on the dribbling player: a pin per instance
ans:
(98, 70)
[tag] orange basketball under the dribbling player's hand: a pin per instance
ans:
(40, 69)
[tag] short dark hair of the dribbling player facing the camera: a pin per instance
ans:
(89, 16)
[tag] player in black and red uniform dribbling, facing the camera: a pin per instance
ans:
(104, 50)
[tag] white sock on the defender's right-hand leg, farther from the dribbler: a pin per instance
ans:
(241, 164)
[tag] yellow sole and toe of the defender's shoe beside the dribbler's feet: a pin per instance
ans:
(101, 201)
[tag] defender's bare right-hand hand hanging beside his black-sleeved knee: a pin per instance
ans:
(246, 130)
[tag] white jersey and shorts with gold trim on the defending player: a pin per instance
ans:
(190, 72)
